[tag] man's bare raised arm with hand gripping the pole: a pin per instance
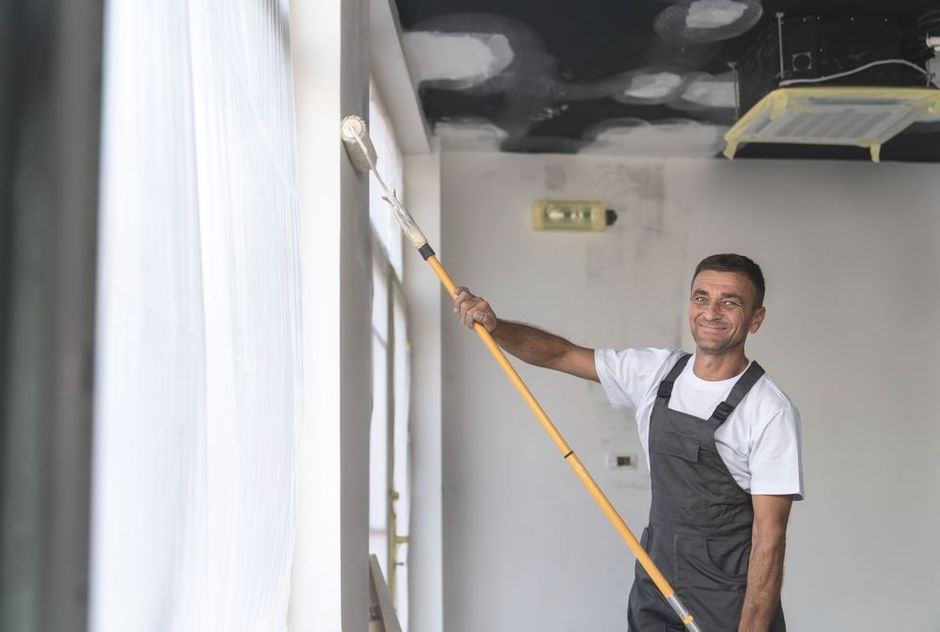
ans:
(527, 343)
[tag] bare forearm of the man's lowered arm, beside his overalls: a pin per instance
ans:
(764, 580)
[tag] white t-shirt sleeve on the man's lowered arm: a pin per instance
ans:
(776, 455)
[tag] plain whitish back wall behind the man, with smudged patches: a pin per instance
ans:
(850, 251)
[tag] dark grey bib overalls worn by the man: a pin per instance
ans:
(699, 531)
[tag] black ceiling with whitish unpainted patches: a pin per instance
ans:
(581, 70)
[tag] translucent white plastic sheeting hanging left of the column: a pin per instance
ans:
(198, 381)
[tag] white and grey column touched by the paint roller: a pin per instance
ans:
(330, 53)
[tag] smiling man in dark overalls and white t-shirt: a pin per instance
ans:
(721, 440)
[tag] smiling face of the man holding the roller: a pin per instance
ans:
(722, 311)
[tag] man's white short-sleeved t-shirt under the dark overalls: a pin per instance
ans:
(760, 440)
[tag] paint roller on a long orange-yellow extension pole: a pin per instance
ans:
(362, 155)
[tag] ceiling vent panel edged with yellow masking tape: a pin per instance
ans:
(863, 116)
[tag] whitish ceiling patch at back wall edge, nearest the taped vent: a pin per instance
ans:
(669, 138)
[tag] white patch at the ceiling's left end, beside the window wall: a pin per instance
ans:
(463, 59)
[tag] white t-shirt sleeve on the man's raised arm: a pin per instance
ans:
(629, 374)
